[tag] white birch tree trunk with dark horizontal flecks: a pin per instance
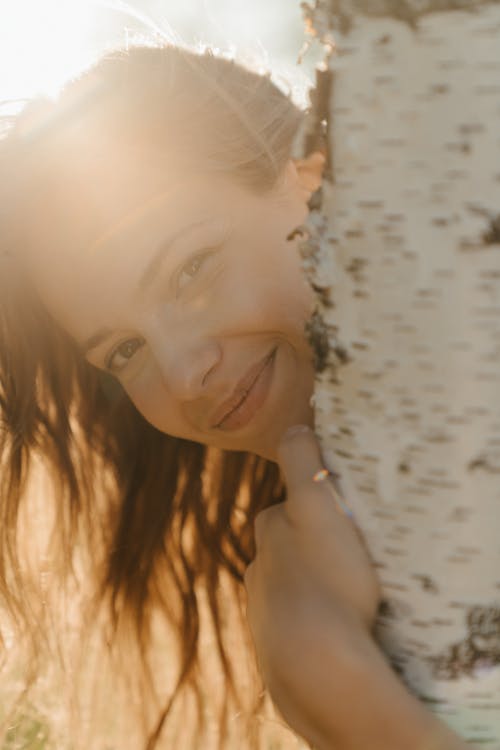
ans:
(404, 254)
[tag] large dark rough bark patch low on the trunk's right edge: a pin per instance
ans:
(480, 648)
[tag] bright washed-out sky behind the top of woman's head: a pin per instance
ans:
(43, 42)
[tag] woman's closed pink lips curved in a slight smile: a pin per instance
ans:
(229, 413)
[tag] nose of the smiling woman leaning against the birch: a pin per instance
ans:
(186, 366)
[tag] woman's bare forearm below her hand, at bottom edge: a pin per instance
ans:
(373, 709)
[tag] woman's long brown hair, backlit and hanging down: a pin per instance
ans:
(149, 522)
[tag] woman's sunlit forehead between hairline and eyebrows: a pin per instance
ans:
(84, 222)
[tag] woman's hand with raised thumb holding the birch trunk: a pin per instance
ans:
(312, 593)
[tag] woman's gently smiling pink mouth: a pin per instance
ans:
(252, 398)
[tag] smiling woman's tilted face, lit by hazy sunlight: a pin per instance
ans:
(186, 289)
